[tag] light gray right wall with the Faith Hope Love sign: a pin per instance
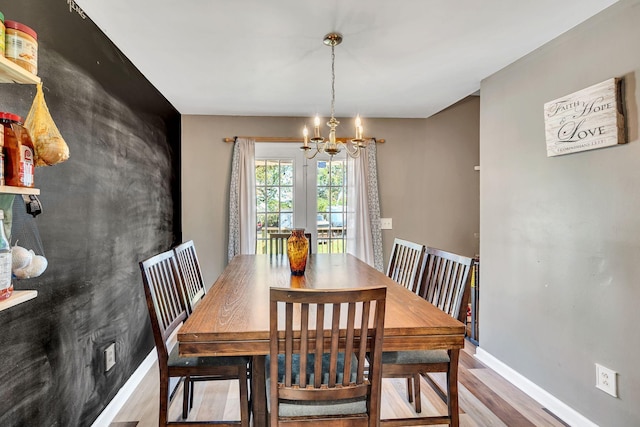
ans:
(559, 236)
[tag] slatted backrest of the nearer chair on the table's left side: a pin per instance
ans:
(166, 306)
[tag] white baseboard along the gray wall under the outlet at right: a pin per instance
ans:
(547, 400)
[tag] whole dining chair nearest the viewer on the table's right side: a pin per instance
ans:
(446, 284)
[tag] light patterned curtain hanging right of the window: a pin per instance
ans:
(363, 204)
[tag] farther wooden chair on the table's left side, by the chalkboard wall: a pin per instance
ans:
(192, 285)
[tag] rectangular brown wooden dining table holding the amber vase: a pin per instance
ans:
(233, 317)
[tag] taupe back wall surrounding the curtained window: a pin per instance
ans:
(425, 169)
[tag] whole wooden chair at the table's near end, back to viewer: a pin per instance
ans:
(316, 364)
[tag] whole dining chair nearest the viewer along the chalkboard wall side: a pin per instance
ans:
(167, 312)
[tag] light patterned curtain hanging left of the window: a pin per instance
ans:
(242, 193)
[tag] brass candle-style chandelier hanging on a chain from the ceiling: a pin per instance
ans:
(332, 146)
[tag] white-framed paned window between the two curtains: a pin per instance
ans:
(294, 192)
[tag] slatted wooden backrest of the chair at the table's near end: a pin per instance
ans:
(336, 328)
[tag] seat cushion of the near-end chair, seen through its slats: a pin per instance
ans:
(289, 408)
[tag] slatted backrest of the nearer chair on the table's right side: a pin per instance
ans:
(446, 281)
